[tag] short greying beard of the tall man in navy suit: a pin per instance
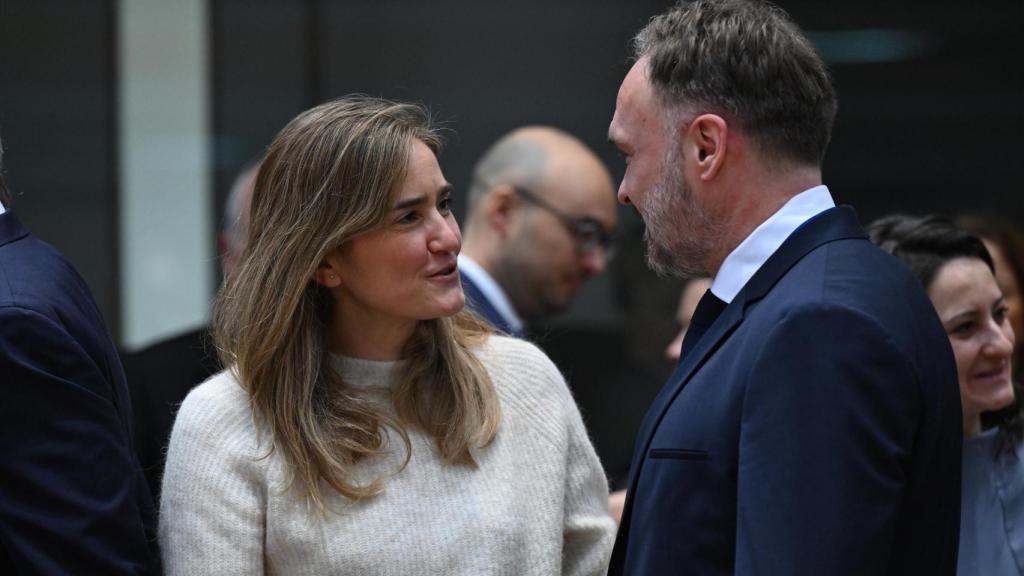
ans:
(679, 233)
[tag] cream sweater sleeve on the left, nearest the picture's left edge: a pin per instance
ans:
(215, 496)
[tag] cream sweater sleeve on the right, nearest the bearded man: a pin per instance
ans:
(588, 529)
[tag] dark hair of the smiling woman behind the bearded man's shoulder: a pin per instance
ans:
(925, 244)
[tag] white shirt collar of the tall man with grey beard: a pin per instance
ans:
(755, 251)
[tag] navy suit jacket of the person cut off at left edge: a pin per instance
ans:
(73, 500)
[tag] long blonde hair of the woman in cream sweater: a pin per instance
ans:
(331, 175)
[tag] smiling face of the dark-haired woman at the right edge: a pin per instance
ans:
(974, 314)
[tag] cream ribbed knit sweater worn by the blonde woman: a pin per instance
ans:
(536, 505)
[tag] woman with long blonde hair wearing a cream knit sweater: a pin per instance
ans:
(366, 424)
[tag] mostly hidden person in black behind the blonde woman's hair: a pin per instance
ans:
(161, 376)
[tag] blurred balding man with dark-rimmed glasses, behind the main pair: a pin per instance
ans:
(541, 222)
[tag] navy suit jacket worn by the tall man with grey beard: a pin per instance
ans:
(816, 429)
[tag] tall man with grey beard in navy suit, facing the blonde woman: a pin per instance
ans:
(814, 425)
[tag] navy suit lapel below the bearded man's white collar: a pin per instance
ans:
(836, 224)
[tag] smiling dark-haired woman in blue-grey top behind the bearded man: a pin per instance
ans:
(959, 276)
